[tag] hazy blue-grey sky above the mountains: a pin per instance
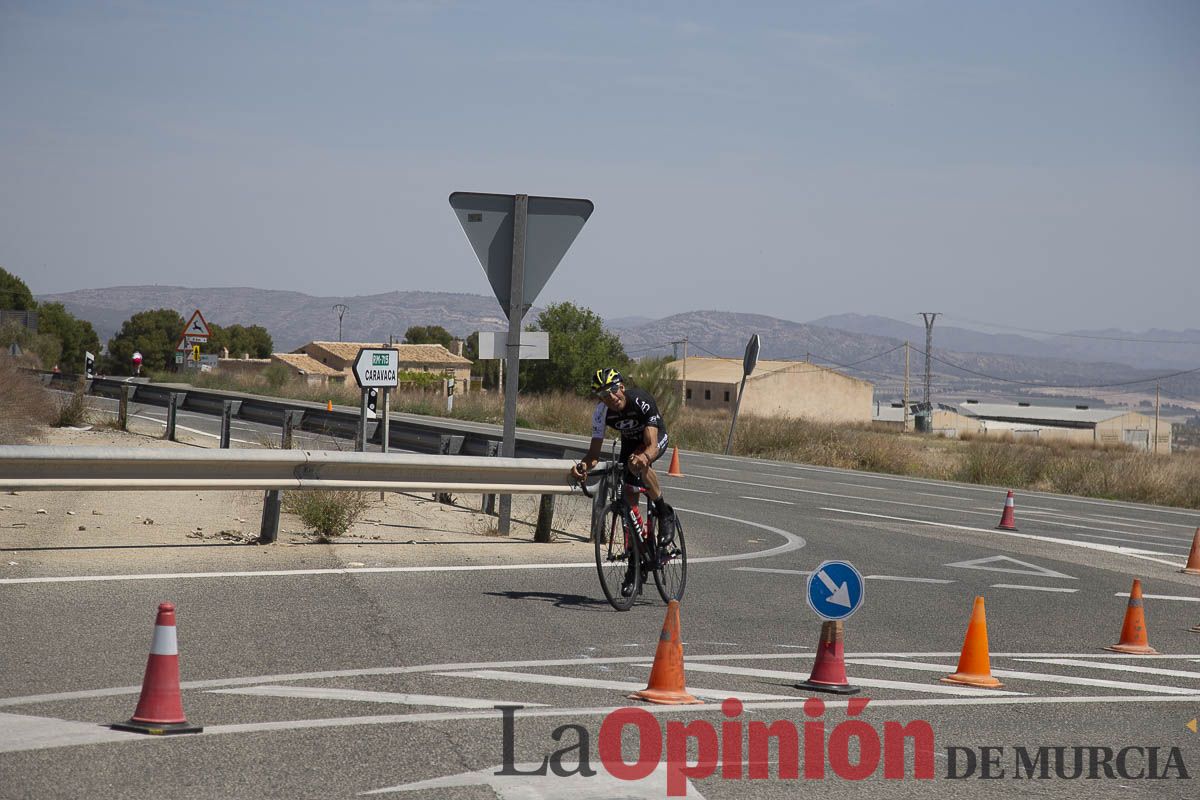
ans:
(1031, 164)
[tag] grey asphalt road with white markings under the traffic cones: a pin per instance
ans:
(333, 685)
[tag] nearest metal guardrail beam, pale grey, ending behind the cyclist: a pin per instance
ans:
(34, 468)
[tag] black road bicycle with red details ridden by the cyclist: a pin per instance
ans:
(628, 548)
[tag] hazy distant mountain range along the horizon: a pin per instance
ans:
(868, 347)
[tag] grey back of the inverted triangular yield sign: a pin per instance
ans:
(554, 224)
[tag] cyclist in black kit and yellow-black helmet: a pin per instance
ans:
(644, 440)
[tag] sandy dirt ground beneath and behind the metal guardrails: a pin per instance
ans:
(116, 522)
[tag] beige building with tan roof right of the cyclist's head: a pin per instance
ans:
(790, 389)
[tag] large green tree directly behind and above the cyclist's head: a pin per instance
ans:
(579, 346)
